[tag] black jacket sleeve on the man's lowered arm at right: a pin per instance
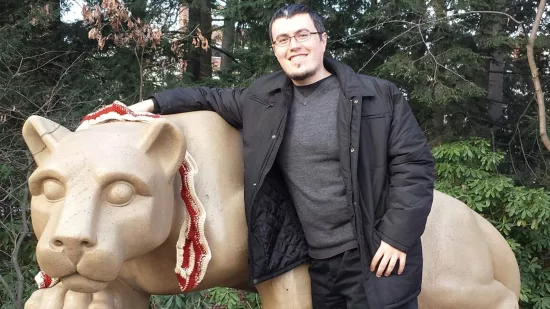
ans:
(411, 175)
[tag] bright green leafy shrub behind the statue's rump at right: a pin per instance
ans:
(468, 170)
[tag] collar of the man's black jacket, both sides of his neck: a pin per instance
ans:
(352, 86)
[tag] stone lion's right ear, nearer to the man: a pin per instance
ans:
(164, 143)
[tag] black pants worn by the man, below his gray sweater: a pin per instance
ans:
(337, 283)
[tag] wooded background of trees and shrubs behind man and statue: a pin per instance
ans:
(462, 64)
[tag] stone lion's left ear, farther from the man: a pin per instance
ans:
(42, 136)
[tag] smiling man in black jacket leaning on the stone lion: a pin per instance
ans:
(337, 170)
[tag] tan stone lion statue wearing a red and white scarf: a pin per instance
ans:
(130, 205)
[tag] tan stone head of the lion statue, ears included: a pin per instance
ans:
(100, 196)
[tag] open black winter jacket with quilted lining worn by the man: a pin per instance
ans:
(387, 166)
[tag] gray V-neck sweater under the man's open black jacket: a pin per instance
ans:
(309, 160)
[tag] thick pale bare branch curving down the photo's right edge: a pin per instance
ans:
(535, 75)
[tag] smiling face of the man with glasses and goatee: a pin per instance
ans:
(301, 61)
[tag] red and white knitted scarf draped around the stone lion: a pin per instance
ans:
(193, 253)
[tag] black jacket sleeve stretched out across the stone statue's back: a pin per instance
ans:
(226, 102)
